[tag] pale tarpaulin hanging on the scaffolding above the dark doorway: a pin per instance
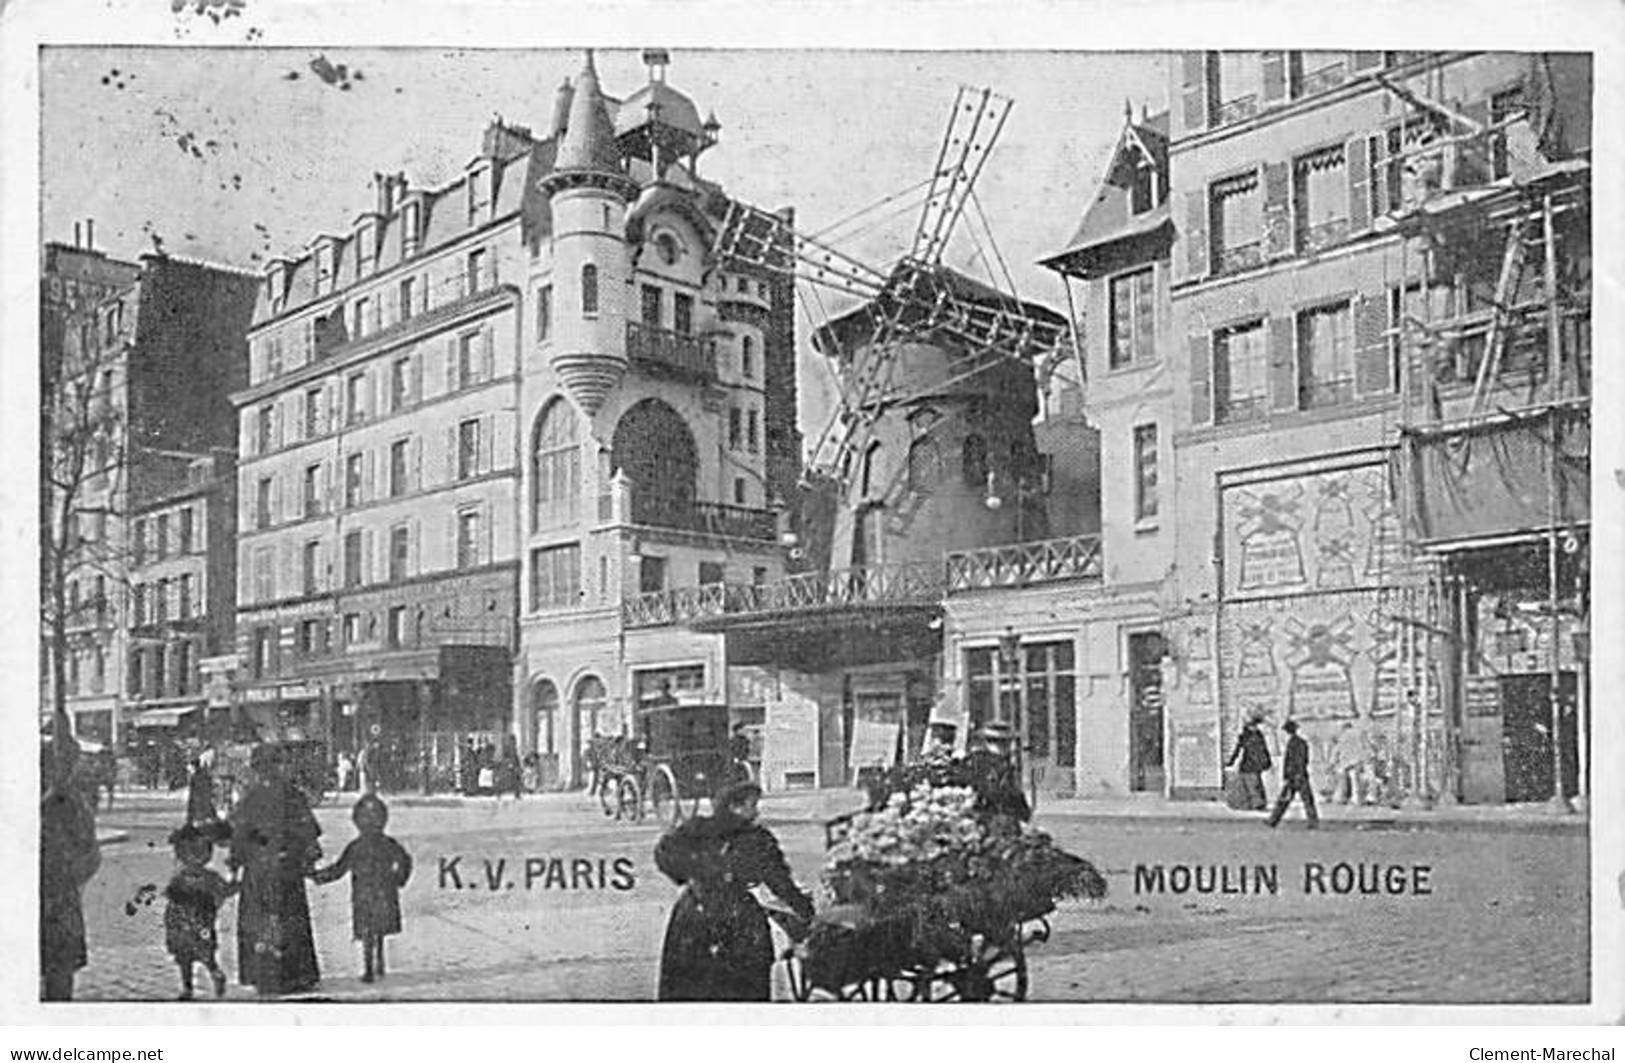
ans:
(1496, 477)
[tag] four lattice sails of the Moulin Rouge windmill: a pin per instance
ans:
(919, 300)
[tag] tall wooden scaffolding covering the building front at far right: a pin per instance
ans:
(1493, 326)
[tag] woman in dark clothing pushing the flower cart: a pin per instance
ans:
(719, 945)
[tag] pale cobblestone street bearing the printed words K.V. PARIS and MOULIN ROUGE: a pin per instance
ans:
(1506, 918)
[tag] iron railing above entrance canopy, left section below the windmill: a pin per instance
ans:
(870, 586)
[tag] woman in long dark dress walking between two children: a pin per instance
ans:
(274, 841)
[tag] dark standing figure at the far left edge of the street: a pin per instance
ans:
(69, 857)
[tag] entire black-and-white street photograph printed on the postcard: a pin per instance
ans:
(631, 523)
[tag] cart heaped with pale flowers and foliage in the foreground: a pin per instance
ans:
(934, 901)
